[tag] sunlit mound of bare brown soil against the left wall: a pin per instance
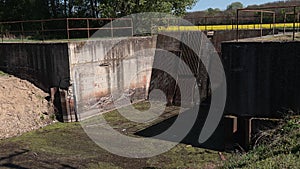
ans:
(23, 107)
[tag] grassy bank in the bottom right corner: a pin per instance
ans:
(279, 148)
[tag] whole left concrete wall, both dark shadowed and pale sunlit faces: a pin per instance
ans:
(86, 73)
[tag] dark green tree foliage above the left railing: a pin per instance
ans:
(43, 9)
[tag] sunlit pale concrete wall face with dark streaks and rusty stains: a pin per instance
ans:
(101, 68)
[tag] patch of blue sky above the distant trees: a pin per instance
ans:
(222, 4)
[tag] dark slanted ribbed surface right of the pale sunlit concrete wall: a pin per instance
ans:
(163, 81)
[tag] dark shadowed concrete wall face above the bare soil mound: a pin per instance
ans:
(46, 64)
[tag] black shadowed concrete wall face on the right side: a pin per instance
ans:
(262, 78)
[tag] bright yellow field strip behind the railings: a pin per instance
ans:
(227, 27)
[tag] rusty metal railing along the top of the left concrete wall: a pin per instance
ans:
(63, 28)
